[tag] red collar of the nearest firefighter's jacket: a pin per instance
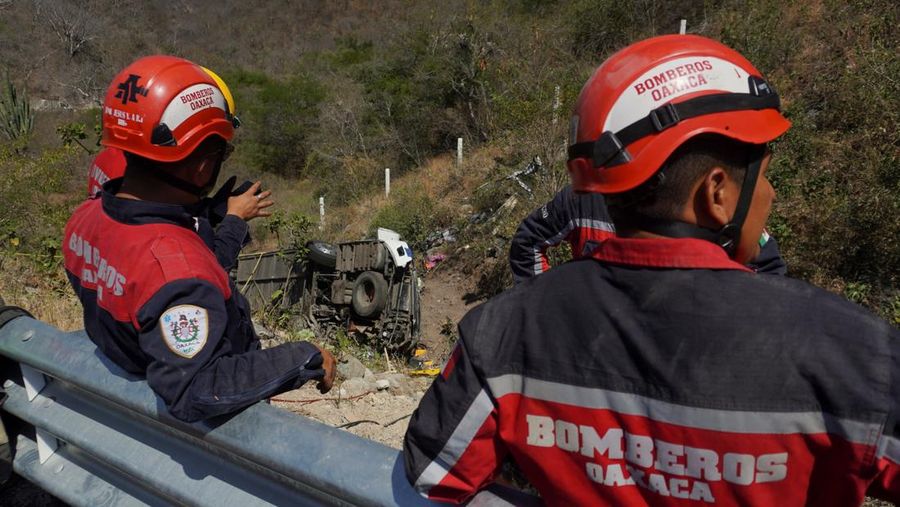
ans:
(682, 253)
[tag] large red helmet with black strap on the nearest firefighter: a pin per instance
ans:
(649, 98)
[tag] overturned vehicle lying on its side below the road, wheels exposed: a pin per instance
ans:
(368, 288)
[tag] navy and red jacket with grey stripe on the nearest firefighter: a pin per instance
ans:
(660, 372)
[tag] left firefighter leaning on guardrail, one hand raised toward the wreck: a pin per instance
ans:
(156, 300)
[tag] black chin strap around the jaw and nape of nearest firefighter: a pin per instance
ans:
(729, 235)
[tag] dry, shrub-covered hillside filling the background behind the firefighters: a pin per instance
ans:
(331, 93)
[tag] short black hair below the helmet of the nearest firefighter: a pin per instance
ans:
(663, 196)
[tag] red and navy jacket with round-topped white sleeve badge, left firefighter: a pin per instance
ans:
(132, 263)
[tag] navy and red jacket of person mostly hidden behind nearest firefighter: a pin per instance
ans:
(582, 220)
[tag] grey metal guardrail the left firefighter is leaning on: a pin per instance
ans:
(102, 437)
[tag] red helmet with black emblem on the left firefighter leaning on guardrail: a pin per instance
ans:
(162, 107)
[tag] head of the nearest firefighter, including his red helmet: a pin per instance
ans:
(685, 105)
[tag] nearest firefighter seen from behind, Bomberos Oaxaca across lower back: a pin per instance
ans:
(659, 370)
